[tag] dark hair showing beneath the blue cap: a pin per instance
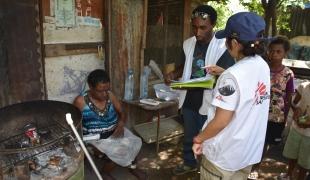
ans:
(250, 48)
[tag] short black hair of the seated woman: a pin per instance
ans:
(97, 76)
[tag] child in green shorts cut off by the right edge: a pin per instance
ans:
(297, 146)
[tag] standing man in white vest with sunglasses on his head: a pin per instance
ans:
(201, 50)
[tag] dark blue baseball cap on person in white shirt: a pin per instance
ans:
(245, 26)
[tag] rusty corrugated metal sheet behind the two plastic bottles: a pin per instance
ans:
(127, 24)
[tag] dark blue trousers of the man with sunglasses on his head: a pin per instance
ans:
(193, 123)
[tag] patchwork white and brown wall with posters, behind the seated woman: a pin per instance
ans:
(73, 50)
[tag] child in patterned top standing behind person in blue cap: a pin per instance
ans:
(282, 88)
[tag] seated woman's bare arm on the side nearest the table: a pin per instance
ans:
(119, 130)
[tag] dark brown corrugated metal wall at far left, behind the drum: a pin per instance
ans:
(22, 66)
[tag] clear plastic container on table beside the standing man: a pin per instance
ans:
(164, 92)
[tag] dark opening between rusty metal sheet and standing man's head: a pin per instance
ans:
(164, 36)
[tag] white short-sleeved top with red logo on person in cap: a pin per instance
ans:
(245, 89)
